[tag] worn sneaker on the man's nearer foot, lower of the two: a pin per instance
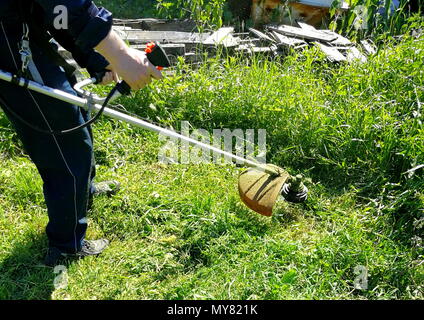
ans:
(89, 248)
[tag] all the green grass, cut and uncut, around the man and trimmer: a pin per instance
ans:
(181, 232)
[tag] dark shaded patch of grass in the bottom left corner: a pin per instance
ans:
(22, 274)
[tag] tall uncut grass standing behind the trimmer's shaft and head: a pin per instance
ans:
(348, 126)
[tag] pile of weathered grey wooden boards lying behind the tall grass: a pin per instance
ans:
(180, 38)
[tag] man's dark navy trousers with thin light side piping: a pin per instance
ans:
(65, 163)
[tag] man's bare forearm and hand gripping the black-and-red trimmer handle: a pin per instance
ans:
(131, 65)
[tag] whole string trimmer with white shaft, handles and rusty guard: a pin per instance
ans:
(259, 186)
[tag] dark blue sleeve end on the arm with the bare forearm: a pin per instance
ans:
(87, 24)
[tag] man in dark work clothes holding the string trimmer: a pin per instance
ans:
(65, 162)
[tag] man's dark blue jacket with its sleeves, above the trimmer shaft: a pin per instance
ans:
(88, 25)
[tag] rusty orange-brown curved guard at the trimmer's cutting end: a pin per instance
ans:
(259, 190)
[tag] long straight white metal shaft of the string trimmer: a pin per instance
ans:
(81, 102)
